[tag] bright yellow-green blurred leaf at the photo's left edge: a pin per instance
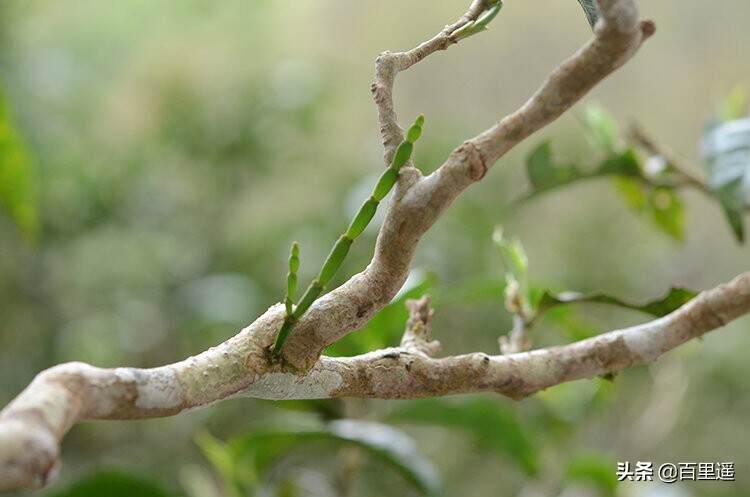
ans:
(18, 181)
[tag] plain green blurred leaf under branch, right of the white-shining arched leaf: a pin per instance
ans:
(492, 426)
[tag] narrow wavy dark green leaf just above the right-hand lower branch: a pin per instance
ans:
(673, 300)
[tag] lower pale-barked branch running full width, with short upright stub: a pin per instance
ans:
(32, 426)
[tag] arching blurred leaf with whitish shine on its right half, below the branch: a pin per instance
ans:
(380, 441)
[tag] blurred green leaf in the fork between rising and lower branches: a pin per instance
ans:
(385, 328)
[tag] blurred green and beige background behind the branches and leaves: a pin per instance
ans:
(179, 147)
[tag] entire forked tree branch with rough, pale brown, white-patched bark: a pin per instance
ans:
(32, 426)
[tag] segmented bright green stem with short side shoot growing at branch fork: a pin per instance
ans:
(341, 248)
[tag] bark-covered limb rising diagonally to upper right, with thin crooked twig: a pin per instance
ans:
(419, 201)
